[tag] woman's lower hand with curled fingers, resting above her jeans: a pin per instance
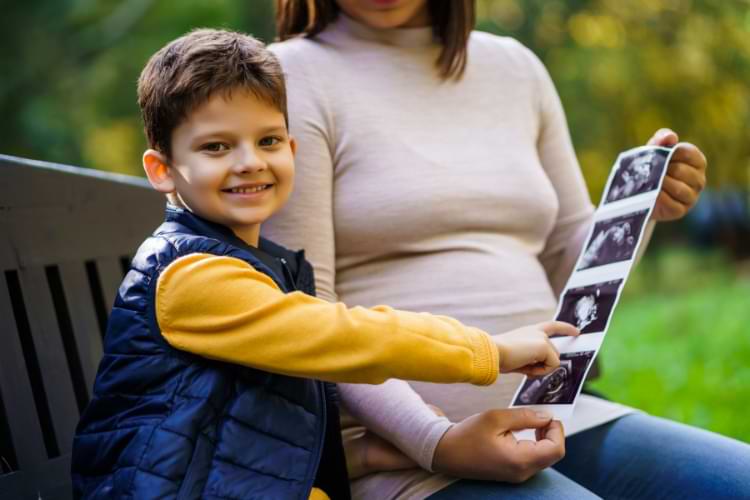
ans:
(483, 446)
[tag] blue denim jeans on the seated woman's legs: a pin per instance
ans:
(636, 456)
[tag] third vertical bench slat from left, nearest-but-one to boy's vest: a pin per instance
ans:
(83, 317)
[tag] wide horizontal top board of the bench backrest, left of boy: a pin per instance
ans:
(52, 216)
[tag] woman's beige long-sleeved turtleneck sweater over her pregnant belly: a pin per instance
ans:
(456, 198)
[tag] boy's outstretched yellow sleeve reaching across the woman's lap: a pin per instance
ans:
(222, 308)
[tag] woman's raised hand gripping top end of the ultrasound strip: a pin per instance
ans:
(685, 179)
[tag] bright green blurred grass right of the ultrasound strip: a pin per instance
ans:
(679, 343)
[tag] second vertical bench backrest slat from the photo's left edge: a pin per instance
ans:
(51, 355)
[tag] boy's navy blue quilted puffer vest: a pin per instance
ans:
(165, 423)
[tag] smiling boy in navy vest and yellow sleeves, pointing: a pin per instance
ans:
(209, 385)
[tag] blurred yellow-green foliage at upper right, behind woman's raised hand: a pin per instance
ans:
(626, 68)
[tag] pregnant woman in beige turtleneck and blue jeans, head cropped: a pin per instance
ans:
(436, 173)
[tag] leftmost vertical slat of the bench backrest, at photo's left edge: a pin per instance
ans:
(16, 389)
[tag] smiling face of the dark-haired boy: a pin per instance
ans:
(233, 162)
